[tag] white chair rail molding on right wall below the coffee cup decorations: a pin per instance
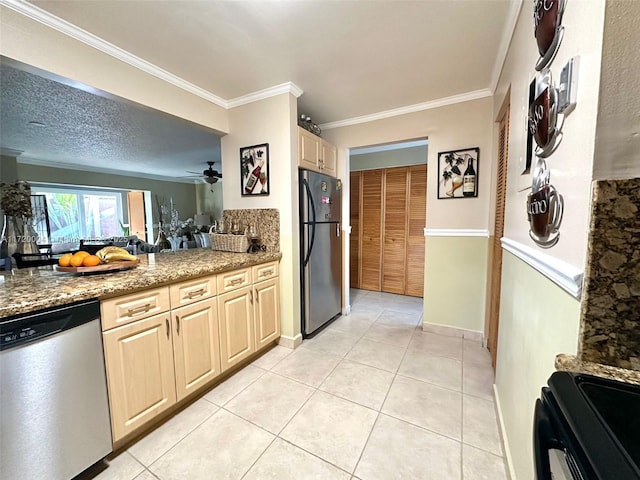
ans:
(566, 276)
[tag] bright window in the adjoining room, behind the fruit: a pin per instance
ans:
(76, 213)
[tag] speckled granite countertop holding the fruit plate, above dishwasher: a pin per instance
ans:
(30, 289)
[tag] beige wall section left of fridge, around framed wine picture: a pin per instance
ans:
(271, 121)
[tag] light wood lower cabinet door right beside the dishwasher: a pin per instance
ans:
(139, 363)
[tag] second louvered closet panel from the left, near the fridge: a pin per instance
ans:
(371, 230)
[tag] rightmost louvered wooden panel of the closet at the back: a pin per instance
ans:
(417, 213)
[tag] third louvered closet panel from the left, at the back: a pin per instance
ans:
(395, 230)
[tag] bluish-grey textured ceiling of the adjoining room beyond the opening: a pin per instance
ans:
(92, 132)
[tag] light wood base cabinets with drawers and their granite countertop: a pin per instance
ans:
(170, 328)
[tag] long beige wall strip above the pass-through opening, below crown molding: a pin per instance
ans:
(33, 43)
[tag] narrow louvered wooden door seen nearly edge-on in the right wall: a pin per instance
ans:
(496, 266)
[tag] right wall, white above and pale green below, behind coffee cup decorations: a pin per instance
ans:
(539, 320)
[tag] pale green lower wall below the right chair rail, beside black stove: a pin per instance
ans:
(537, 321)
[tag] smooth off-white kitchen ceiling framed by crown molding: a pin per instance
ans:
(351, 58)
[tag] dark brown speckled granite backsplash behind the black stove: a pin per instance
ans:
(610, 323)
